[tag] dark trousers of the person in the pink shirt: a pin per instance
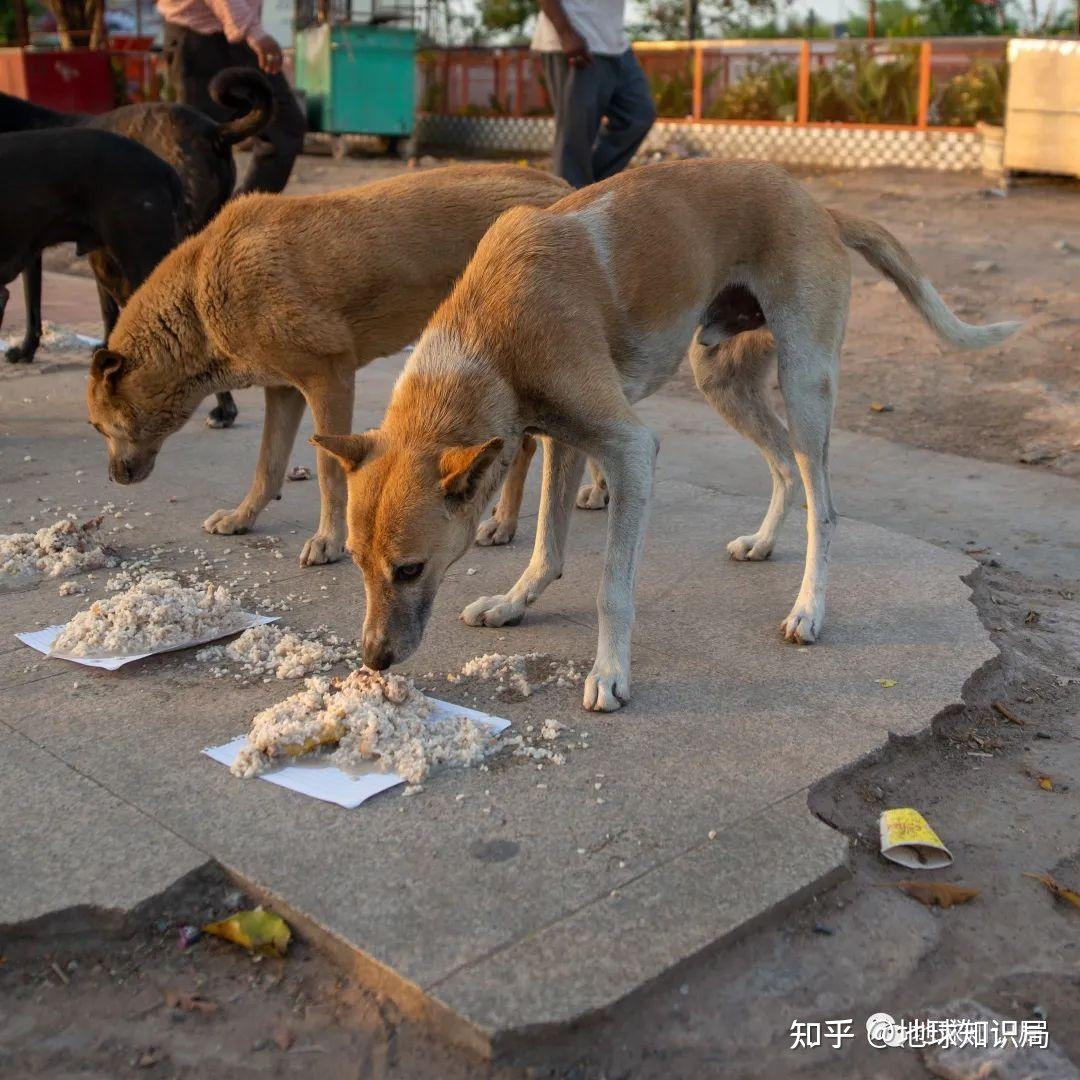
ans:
(195, 59)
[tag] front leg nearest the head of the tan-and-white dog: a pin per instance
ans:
(562, 471)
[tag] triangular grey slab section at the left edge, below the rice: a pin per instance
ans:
(78, 847)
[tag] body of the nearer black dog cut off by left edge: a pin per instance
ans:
(101, 192)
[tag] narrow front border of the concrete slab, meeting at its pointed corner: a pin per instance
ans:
(464, 1009)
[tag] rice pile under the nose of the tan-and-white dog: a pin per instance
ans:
(368, 717)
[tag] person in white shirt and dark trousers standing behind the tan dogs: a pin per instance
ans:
(603, 105)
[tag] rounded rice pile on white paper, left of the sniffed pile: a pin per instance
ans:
(157, 613)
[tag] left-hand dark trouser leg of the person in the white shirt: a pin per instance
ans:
(579, 97)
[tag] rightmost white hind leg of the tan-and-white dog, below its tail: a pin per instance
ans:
(808, 375)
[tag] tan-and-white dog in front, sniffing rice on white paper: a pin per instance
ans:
(566, 317)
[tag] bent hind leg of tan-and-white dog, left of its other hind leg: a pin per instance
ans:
(732, 376)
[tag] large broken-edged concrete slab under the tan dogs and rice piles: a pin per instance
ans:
(504, 901)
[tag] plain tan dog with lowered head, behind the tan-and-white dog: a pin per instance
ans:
(295, 294)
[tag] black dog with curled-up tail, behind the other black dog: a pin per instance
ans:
(200, 151)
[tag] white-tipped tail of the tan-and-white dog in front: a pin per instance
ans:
(888, 256)
